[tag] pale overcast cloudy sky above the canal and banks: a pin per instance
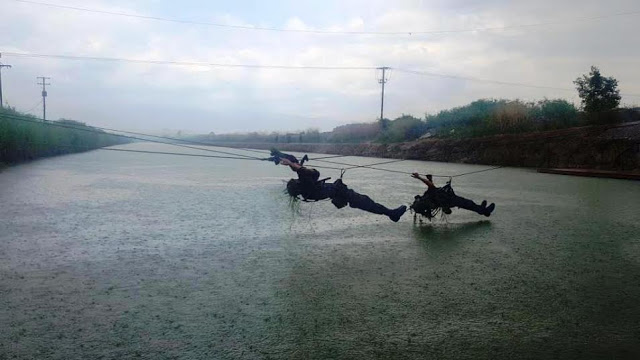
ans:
(200, 99)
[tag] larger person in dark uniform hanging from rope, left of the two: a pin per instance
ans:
(310, 188)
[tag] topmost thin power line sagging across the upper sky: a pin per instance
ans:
(330, 32)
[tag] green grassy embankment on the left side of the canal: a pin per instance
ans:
(31, 139)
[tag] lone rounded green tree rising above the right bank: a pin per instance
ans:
(598, 93)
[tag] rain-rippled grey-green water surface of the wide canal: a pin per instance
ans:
(125, 255)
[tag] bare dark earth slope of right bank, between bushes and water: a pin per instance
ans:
(605, 147)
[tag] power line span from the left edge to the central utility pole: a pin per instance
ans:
(186, 63)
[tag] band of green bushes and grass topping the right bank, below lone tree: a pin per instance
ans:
(483, 117)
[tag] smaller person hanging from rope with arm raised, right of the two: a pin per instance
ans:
(437, 199)
